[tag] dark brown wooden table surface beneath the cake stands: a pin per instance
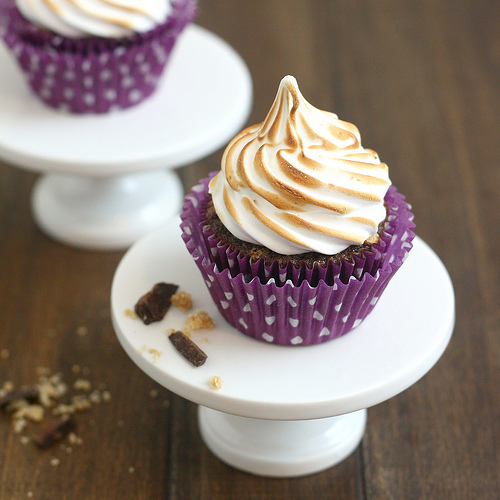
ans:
(421, 81)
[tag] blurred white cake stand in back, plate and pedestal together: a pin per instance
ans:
(108, 178)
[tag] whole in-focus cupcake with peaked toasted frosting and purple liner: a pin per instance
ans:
(301, 231)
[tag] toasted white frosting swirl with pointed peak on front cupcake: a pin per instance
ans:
(300, 181)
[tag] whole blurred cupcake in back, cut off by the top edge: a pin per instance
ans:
(93, 56)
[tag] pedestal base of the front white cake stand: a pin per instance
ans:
(280, 448)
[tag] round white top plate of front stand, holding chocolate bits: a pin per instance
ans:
(397, 344)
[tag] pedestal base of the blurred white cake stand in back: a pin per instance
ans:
(99, 213)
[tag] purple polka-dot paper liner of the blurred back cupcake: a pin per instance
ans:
(92, 75)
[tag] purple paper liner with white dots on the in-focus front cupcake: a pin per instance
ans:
(312, 309)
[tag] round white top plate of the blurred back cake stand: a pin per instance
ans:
(204, 96)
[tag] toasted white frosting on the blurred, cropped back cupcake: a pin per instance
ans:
(102, 18)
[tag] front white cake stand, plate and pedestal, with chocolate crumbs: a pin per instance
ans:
(284, 411)
